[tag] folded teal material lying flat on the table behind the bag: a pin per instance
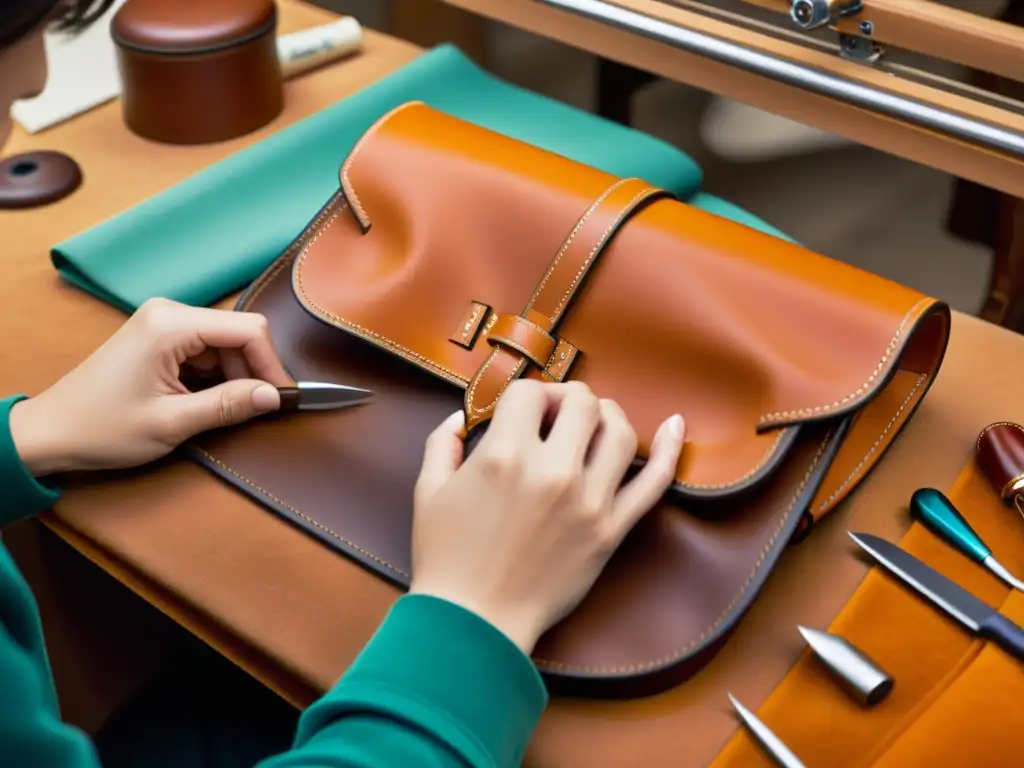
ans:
(218, 231)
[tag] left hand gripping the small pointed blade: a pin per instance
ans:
(126, 406)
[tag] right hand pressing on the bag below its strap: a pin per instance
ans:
(520, 533)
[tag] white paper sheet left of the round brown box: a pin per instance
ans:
(83, 74)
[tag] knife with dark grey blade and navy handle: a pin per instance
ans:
(978, 617)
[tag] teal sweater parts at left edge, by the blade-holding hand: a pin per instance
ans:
(31, 731)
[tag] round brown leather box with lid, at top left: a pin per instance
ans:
(198, 71)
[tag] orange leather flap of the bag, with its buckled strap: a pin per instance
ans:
(444, 230)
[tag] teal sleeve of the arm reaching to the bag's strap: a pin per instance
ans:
(438, 687)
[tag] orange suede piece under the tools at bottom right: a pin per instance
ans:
(957, 701)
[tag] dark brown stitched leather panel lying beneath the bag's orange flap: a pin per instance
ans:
(354, 493)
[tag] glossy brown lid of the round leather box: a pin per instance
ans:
(192, 27)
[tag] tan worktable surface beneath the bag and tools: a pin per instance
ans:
(294, 614)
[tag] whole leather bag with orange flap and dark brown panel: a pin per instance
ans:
(453, 261)
